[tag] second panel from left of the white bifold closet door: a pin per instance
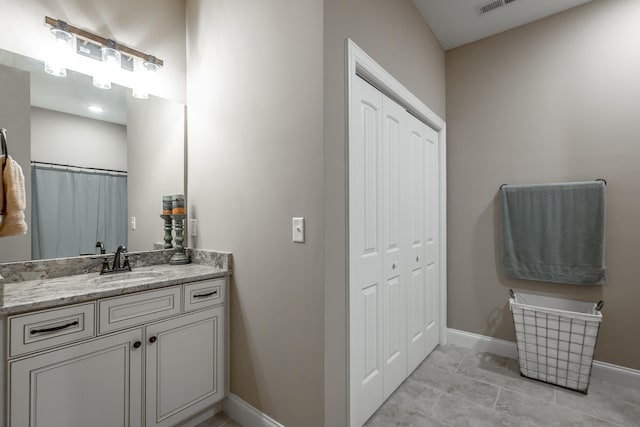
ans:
(394, 196)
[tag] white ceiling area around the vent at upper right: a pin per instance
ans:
(456, 22)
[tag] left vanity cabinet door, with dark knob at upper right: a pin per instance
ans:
(97, 383)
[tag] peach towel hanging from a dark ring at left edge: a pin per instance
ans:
(13, 204)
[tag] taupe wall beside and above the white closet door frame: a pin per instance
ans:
(395, 35)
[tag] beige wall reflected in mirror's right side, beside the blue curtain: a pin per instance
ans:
(155, 161)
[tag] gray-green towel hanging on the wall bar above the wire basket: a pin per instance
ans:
(554, 232)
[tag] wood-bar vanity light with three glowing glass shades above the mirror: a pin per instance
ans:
(113, 58)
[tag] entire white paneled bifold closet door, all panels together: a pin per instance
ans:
(393, 209)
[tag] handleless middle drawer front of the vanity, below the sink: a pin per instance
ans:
(131, 310)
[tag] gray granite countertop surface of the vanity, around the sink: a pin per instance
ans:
(46, 293)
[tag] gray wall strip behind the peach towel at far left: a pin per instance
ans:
(15, 108)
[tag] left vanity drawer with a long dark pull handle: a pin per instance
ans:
(43, 329)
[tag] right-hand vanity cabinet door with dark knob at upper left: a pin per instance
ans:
(184, 366)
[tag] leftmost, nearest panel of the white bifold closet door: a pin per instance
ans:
(365, 252)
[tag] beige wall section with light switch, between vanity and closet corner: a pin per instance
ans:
(254, 86)
